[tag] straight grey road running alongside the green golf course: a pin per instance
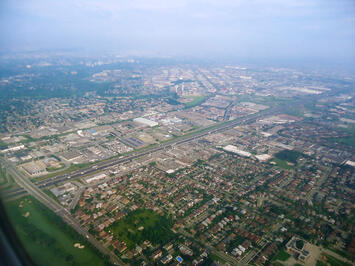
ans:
(36, 192)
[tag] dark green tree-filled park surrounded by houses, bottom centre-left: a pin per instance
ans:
(141, 225)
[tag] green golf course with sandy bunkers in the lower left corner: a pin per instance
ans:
(47, 239)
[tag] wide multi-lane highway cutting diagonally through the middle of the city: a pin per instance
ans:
(103, 165)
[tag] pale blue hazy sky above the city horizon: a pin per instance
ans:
(245, 28)
